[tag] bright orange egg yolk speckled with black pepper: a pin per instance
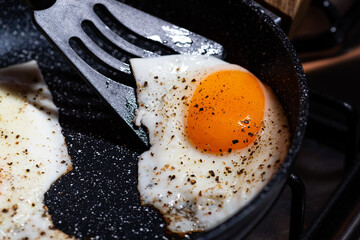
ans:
(226, 111)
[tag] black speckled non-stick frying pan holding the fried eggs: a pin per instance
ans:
(99, 196)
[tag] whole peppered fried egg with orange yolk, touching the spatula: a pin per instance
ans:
(217, 136)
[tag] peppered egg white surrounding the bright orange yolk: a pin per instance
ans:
(193, 189)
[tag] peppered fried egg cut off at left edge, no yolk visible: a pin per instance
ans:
(33, 153)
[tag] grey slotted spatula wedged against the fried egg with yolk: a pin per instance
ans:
(61, 20)
